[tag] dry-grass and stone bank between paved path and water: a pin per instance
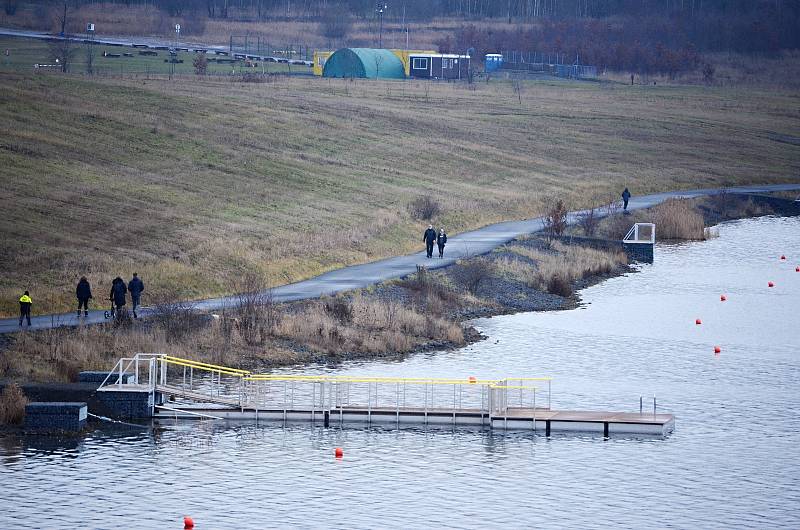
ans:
(426, 311)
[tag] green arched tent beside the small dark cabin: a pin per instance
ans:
(364, 62)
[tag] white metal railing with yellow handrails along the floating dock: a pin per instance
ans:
(200, 382)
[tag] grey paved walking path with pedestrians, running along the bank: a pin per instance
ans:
(460, 246)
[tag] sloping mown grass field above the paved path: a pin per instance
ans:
(195, 182)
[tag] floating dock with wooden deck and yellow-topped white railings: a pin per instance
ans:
(188, 389)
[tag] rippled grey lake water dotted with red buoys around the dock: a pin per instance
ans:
(733, 460)
